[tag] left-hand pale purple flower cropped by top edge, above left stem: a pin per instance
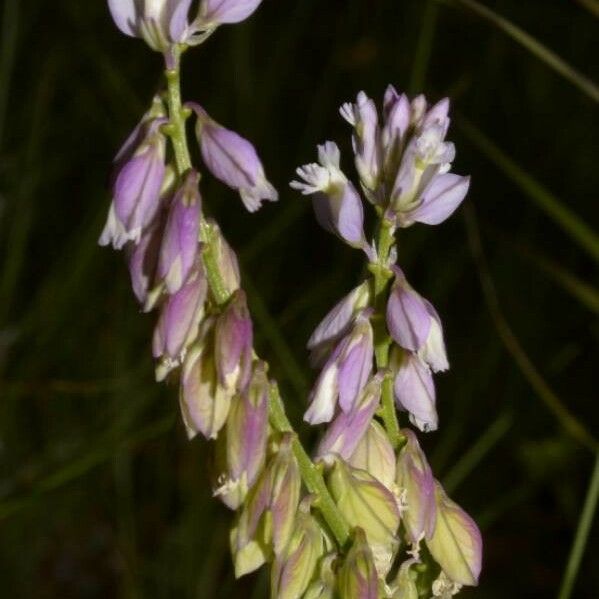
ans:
(159, 22)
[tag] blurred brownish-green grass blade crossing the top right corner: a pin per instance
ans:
(550, 58)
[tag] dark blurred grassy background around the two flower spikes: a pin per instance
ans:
(100, 493)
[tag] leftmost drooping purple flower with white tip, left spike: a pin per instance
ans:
(137, 189)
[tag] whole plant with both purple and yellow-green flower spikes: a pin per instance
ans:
(363, 517)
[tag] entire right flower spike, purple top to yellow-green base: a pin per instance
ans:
(382, 343)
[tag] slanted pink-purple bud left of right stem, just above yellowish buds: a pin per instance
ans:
(348, 428)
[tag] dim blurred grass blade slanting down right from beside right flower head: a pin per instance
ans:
(542, 197)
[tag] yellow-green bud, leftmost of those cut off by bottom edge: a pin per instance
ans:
(294, 568)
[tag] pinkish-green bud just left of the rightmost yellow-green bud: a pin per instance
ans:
(417, 485)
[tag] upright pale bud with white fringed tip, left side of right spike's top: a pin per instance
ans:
(366, 139)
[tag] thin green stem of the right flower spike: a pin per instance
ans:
(382, 341)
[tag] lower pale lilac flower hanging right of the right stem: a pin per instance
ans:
(415, 392)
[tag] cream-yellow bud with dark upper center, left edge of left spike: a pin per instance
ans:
(204, 401)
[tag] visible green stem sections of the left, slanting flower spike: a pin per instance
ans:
(310, 473)
